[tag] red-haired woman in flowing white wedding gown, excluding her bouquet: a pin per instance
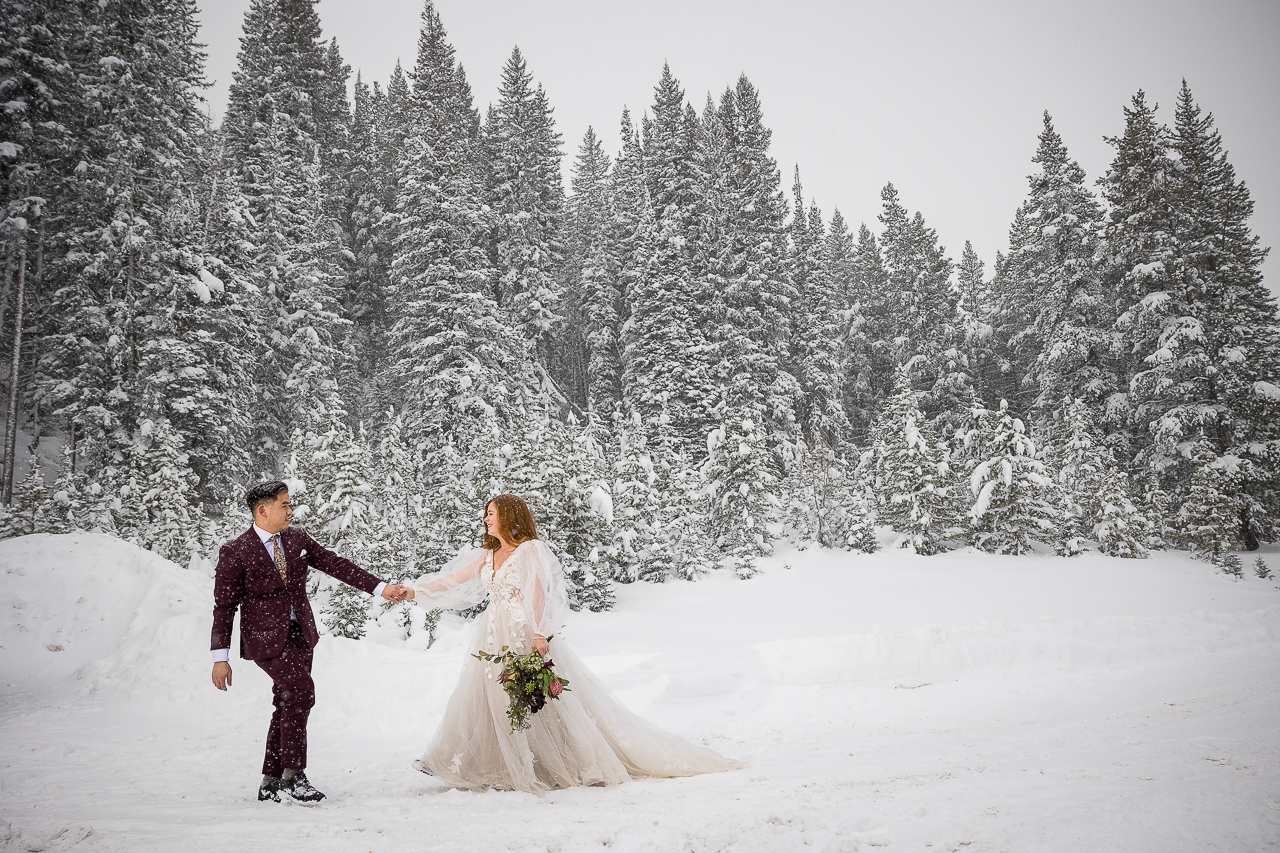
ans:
(586, 737)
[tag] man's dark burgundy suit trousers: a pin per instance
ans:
(294, 695)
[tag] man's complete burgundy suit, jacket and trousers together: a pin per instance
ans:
(248, 578)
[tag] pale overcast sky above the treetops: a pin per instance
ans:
(941, 98)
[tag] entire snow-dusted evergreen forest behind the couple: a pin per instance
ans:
(405, 304)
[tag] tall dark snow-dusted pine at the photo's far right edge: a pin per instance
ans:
(1223, 331)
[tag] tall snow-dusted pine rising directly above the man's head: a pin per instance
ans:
(282, 130)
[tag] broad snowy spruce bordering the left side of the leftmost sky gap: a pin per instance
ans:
(132, 332)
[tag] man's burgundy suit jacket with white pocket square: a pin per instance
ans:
(248, 578)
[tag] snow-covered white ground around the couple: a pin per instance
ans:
(961, 703)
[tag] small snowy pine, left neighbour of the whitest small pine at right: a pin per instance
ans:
(908, 472)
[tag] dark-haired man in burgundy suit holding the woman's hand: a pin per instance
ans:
(266, 571)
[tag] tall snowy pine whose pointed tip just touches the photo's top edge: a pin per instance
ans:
(454, 362)
